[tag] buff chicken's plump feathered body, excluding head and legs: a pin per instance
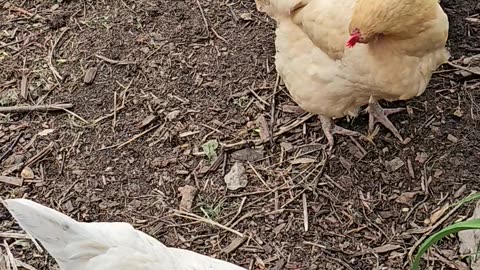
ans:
(326, 78)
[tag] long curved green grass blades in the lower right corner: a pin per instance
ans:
(452, 229)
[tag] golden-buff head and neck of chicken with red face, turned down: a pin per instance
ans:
(400, 19)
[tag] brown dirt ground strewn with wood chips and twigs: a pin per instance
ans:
(172, 75)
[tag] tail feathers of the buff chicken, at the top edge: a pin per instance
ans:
(279, 8)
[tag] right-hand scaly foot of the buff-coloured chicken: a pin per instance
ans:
(378, 114)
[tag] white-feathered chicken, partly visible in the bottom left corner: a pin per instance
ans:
(103, 246)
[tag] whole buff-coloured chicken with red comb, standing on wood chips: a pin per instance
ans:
(327, 73)
